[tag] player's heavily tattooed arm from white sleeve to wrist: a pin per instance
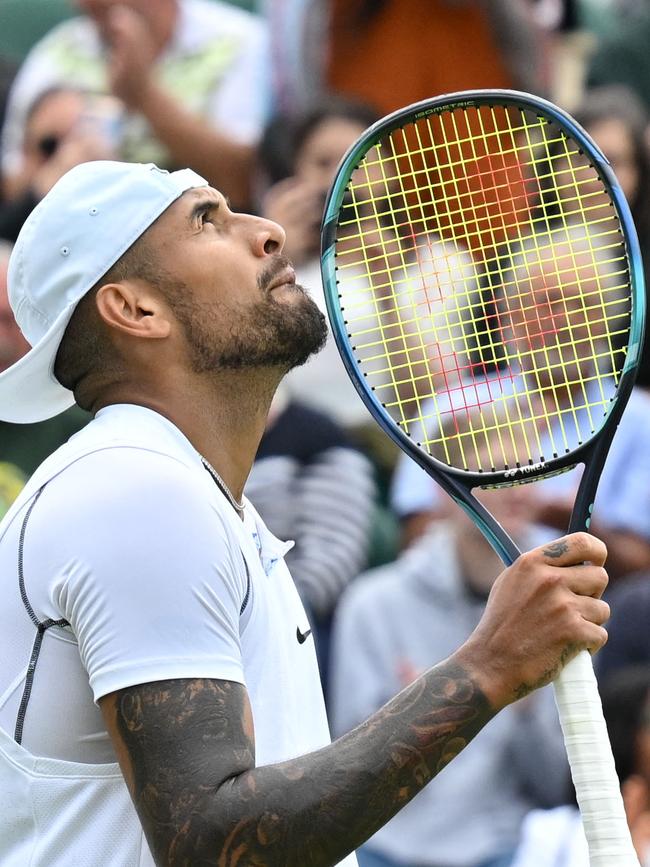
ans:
(188, 755)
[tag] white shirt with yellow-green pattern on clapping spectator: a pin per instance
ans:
(216, 65)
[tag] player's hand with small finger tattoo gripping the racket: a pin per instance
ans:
(541, 612)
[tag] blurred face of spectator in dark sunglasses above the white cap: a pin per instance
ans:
(53, 119)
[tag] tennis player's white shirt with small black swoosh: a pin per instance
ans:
(136, 551)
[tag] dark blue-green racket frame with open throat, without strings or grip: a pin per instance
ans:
(458, 483)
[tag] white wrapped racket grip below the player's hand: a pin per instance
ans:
(592, 765)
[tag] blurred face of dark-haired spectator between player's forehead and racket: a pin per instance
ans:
(323, 149)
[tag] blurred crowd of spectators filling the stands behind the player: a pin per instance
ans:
(263, 99)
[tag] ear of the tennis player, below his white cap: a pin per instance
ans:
(133, 308)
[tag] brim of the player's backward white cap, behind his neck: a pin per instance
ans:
(28, 390)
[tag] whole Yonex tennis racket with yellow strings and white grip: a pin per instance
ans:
(485, 289)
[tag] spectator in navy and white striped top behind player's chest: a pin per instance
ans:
(312, 486)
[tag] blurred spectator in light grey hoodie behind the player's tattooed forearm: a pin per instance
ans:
(391, 624)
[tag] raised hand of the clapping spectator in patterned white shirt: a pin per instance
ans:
(132, 52)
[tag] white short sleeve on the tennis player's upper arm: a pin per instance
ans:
(144, 567)
